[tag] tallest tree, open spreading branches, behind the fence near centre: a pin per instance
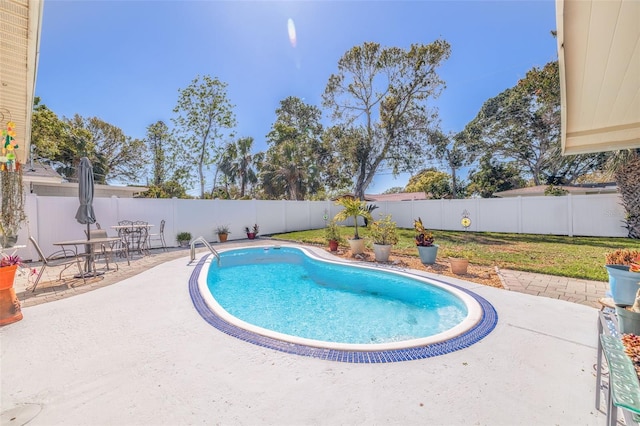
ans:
(379, 97)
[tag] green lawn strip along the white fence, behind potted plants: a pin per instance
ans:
(577, 257)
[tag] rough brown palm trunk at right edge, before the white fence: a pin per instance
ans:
(625, 166)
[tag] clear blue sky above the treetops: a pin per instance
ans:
(124, 61)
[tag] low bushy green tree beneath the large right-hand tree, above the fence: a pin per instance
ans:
(493, 176)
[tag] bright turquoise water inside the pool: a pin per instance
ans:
(283, 290)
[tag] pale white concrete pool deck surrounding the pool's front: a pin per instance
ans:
(137, 352)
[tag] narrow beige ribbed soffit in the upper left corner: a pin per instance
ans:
(20, 24)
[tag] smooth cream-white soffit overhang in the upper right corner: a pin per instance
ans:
(599, 58)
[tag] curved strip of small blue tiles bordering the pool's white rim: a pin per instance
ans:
(476, 333)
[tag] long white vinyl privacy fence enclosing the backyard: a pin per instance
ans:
(52, 219)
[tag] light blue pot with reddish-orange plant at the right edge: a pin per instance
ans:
(624, 275)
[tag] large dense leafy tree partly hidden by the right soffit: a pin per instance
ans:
(523, 123)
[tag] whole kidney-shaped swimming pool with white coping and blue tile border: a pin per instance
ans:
(374, 314)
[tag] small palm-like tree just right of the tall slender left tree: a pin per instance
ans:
(237, 161)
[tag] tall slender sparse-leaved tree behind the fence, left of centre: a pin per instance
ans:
(203, 112)
